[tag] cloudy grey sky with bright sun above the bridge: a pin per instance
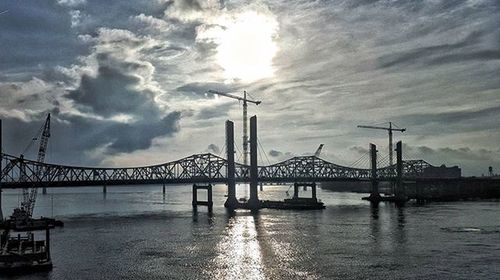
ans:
(126, 81)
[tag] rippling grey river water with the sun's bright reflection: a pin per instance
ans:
(139, 233)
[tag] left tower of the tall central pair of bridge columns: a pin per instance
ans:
(231, 201)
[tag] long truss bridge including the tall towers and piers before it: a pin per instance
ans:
(203, 170)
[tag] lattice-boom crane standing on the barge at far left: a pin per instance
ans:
(29, 194)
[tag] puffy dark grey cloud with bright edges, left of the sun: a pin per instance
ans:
(117, 93)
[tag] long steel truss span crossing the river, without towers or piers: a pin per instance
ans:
(200, 168)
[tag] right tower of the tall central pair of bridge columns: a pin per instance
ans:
(253, 202)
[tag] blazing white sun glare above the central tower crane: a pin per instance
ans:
(247, 46)
